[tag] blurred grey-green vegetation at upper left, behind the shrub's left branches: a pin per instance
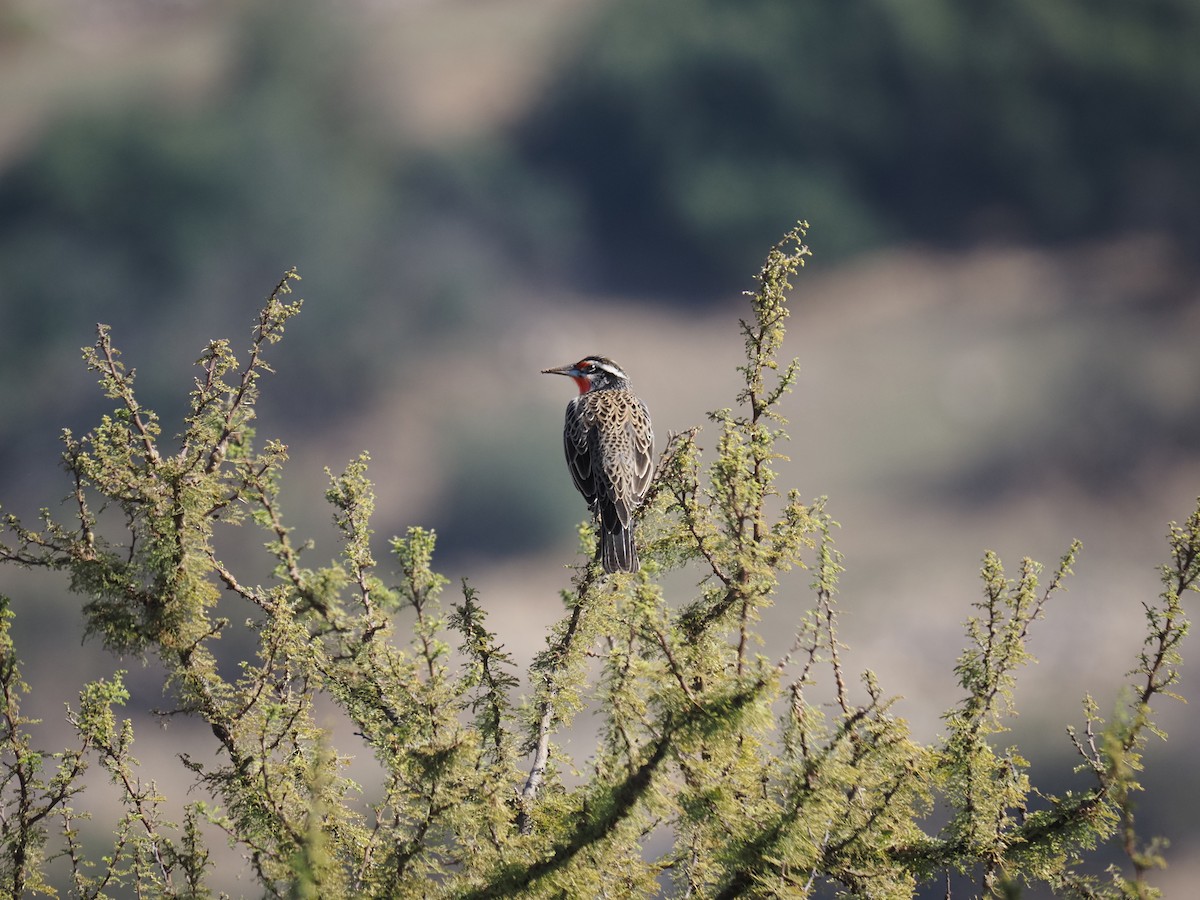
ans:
(165, 220)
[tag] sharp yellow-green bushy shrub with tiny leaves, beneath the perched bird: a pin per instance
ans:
(770, 777)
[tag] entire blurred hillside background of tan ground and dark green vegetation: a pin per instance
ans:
(1000, 329)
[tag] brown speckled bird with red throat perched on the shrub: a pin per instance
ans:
(610, 453)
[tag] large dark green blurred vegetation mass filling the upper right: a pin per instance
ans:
(692, 131)
